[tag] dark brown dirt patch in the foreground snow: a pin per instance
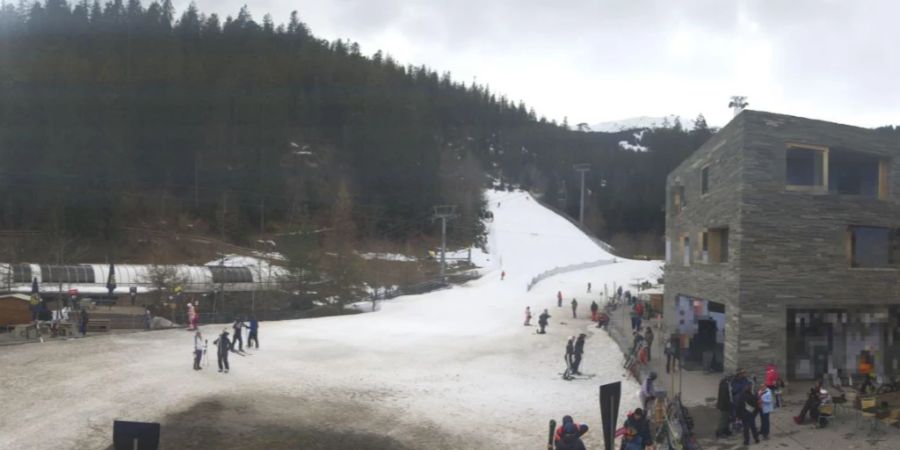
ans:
(268, 422)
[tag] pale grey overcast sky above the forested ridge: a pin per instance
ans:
(603, 60)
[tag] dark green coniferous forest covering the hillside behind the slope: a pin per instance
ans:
(122, 115)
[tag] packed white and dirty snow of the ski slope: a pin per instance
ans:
(450, 369)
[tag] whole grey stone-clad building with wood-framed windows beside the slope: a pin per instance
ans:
(783, 246)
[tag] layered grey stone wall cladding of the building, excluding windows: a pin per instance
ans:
(787, 249)
